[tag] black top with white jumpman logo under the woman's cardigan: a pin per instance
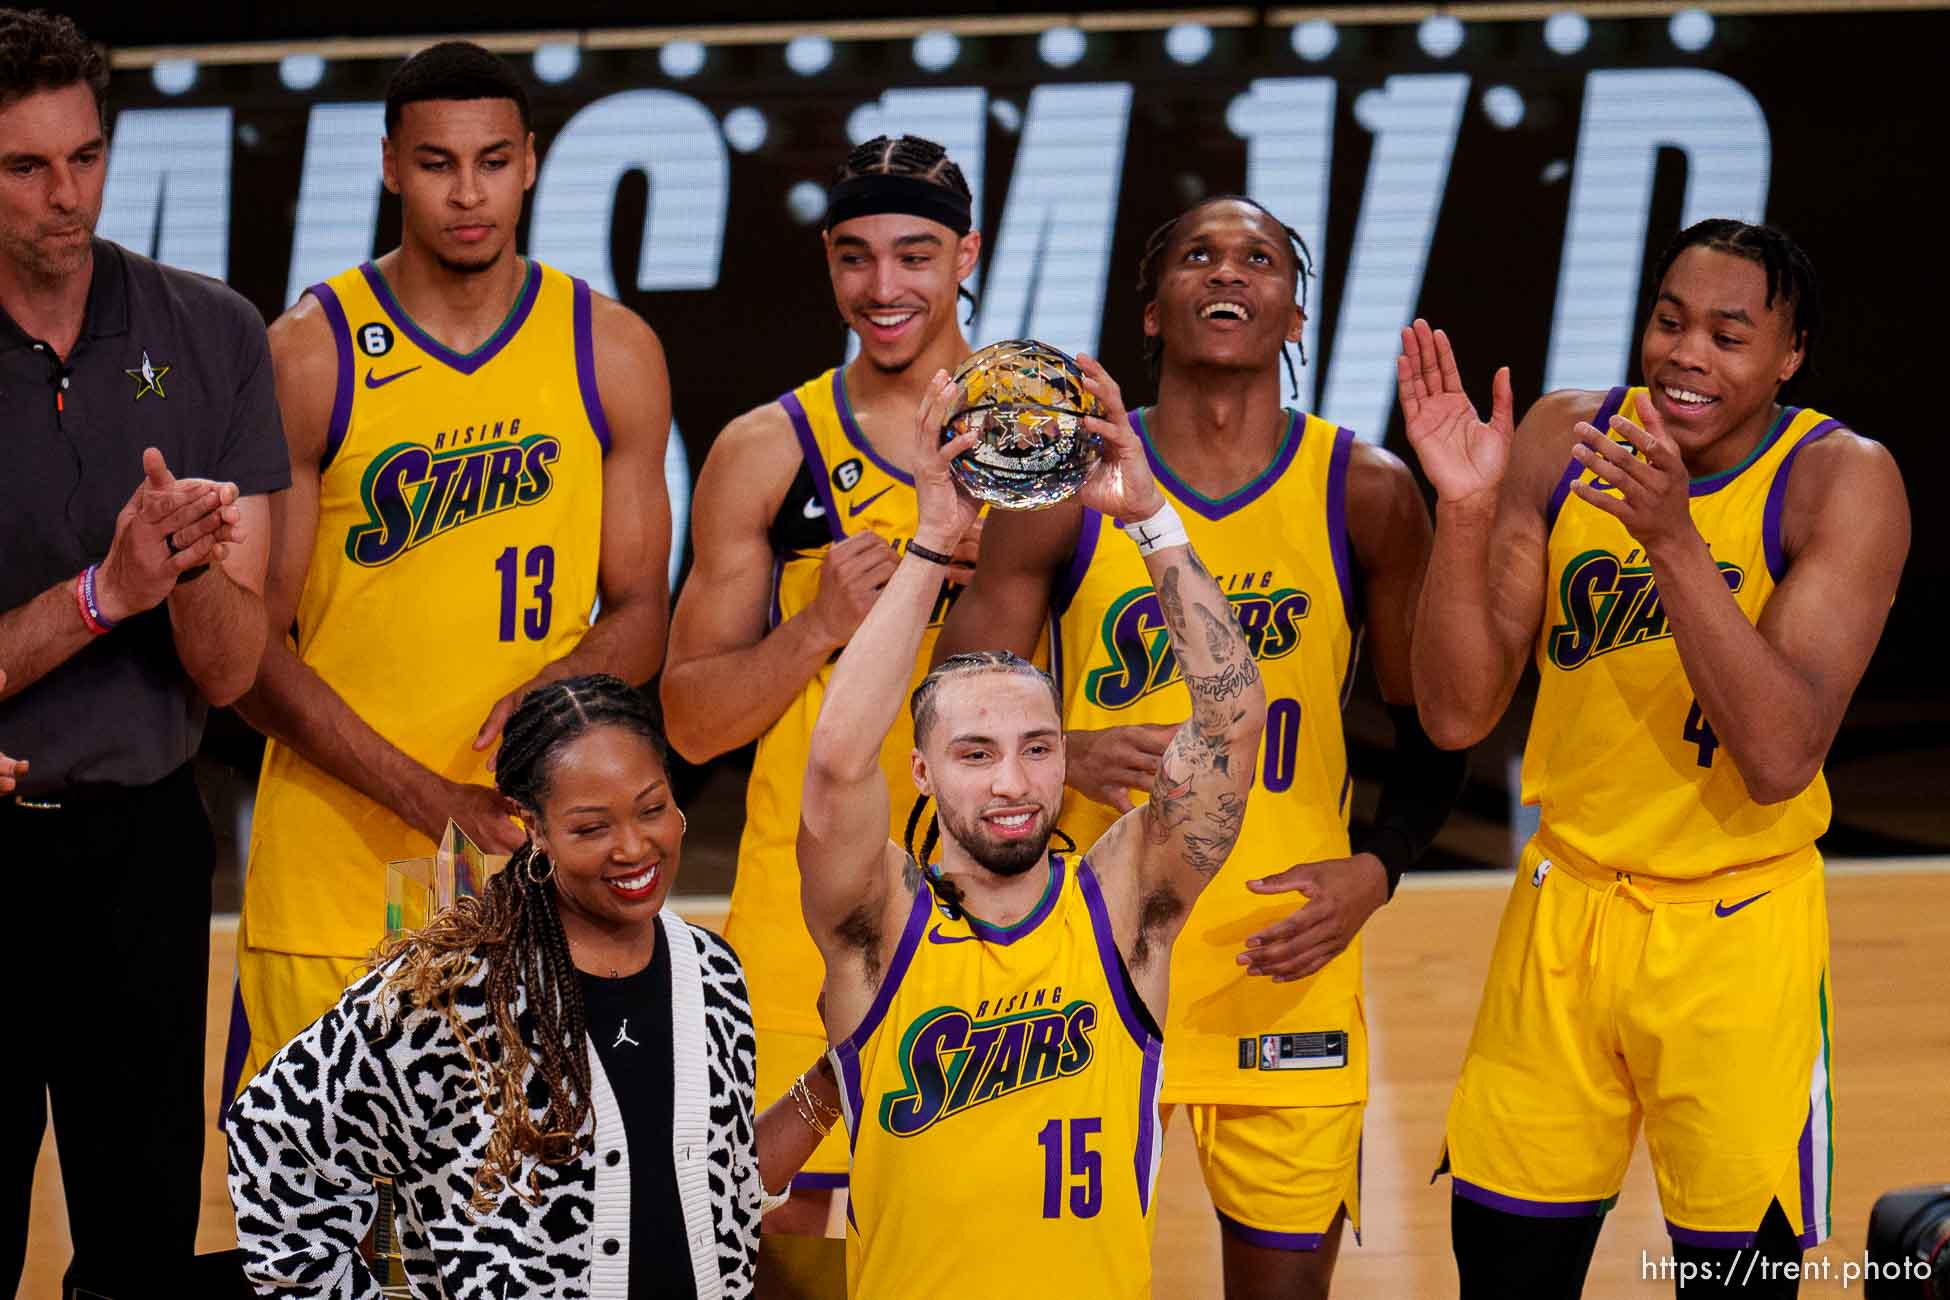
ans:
(631, 1026)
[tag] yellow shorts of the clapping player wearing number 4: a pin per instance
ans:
(1697, 1011)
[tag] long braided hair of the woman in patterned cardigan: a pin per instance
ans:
(514, 931)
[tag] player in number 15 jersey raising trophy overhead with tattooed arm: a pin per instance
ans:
(995, 1014)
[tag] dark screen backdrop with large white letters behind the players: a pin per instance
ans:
(1510, 180)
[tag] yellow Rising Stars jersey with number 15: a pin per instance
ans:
(1003, 1104)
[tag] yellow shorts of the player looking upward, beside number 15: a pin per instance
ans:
(1278, 1176)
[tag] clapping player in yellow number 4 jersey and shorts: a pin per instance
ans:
(1701, 576)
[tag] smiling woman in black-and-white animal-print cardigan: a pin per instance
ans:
(561, 1061)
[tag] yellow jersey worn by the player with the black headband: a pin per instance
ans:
(851, 490)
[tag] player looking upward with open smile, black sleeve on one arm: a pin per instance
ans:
(1315, 537)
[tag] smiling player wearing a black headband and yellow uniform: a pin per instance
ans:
(797, 516)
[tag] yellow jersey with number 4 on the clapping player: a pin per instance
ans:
(1621, 759)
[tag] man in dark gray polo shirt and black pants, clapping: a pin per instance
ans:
(141, 436)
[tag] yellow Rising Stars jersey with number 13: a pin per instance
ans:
(459, 531)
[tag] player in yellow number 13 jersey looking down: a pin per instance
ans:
(477, 449)
